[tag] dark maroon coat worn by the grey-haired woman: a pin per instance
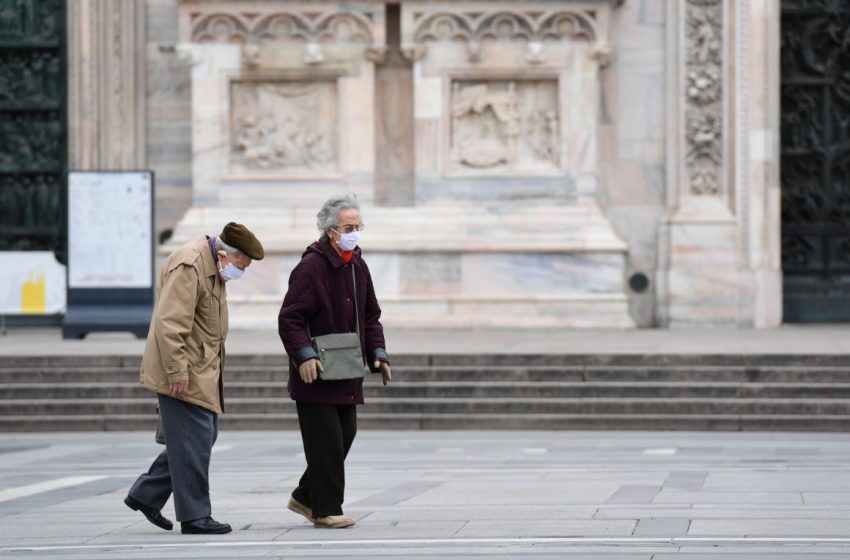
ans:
(320, 291)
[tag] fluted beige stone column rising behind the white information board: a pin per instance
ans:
(106, 84)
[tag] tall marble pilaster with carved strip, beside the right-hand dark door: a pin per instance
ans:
(719, 260)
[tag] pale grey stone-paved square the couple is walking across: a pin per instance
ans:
(450, 495)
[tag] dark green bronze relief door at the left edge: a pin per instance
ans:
(33, 129)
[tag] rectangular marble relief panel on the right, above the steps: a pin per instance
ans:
(501, 127)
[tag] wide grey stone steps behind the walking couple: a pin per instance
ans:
(560, 392)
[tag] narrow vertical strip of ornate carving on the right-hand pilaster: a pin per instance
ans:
(704, 95)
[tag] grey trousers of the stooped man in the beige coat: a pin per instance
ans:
(184, 465)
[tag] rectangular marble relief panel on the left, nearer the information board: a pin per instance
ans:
(283, 127)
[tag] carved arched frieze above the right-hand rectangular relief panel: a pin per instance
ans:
(533, 27)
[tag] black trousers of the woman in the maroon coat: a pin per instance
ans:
(327, 432)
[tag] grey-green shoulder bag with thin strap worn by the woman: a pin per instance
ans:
(340, 353)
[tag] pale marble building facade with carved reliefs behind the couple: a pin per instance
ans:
(594, 163)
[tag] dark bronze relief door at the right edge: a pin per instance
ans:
(815, 148)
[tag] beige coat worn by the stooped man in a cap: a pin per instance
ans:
(188, 328)
